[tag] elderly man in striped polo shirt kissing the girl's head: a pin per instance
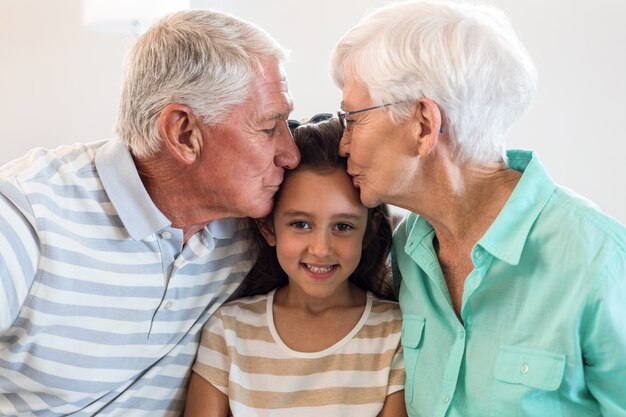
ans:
(113, 254)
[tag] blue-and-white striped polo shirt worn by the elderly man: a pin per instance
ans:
(101, 304)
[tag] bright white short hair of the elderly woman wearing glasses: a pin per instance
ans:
(466, 57)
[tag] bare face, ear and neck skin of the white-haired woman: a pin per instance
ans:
(425, 178)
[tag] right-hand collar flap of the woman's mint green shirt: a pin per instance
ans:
(506, 237)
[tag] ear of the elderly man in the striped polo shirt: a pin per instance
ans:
(181, 132)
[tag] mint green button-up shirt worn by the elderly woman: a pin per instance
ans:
(544, 310)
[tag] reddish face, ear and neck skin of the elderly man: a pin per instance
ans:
(191, 178)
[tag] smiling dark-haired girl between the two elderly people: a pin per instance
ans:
(316, 334)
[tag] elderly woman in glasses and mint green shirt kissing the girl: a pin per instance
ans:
(512, 287)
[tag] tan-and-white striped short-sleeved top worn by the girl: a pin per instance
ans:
(243, 356)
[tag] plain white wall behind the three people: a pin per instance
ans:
(59, 83)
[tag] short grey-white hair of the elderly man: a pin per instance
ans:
(200, 58)
